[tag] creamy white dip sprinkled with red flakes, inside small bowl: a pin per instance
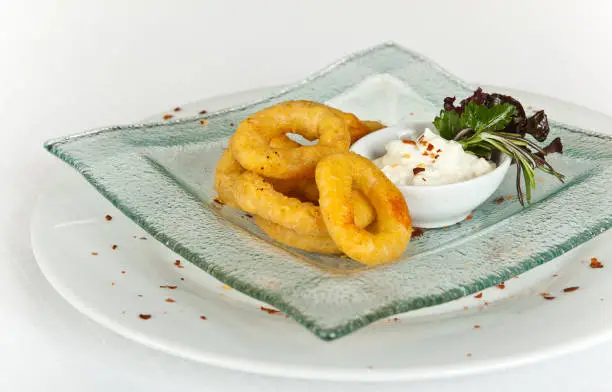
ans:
(430, 160)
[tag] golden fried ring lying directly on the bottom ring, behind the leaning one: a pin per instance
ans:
(256, 196)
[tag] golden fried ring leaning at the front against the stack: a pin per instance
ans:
(336, 175)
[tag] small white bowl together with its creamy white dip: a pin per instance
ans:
(454, 195)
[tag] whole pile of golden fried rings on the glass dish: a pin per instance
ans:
(266, 174)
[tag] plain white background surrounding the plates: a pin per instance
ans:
(66, 66)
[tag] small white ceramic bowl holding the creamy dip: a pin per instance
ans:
(434, 205)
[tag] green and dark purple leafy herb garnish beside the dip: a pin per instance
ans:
(489, 124)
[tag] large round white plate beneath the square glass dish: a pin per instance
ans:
(73, 243)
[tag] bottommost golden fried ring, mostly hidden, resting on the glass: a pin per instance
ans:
(311, 243)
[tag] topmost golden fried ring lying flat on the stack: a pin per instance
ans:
(251, 142)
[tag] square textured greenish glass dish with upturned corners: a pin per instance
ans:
(161, 176)
